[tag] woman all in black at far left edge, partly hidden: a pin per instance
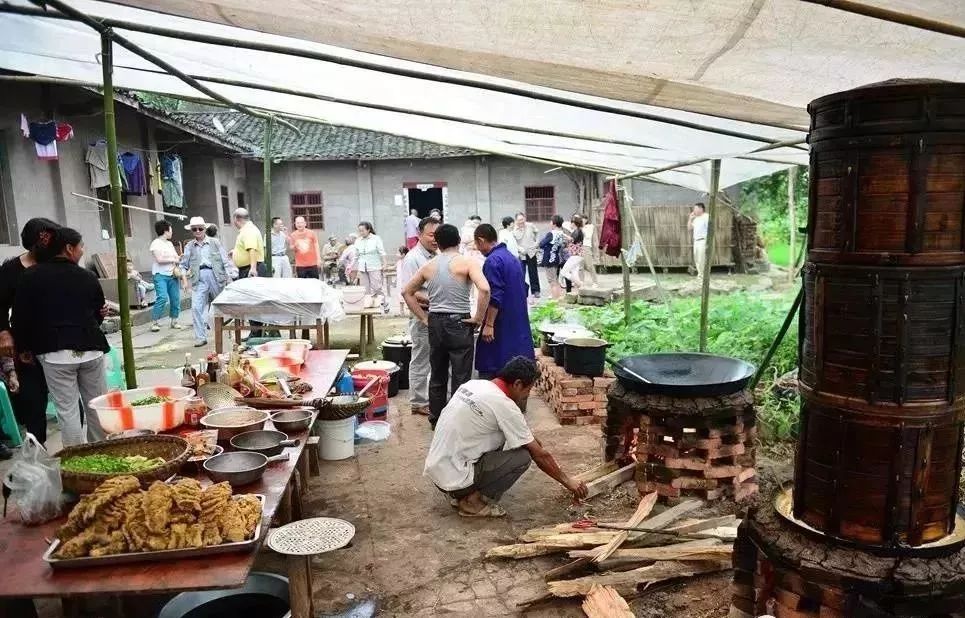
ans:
(30, 402)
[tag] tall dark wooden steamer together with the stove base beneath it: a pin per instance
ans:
(873, 527)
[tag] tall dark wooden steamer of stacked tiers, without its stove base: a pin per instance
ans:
(883, 389)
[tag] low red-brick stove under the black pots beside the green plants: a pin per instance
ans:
(576, 400)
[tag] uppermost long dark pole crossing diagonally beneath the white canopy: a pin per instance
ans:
(531, 92)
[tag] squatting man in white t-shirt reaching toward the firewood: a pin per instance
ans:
(482, 443)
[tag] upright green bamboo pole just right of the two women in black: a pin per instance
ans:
(117, 215)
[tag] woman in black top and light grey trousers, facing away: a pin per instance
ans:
(57, 316)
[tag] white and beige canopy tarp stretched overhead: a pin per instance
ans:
(766, 74)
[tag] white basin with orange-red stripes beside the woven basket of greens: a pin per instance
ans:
(117, 414)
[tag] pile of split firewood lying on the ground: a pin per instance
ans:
(610, 559)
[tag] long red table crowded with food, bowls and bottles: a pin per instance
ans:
(181, 495)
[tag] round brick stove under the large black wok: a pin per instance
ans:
(684, 446)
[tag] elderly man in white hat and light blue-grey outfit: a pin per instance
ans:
(209, 269)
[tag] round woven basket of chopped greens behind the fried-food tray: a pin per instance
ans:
(148, 458)
